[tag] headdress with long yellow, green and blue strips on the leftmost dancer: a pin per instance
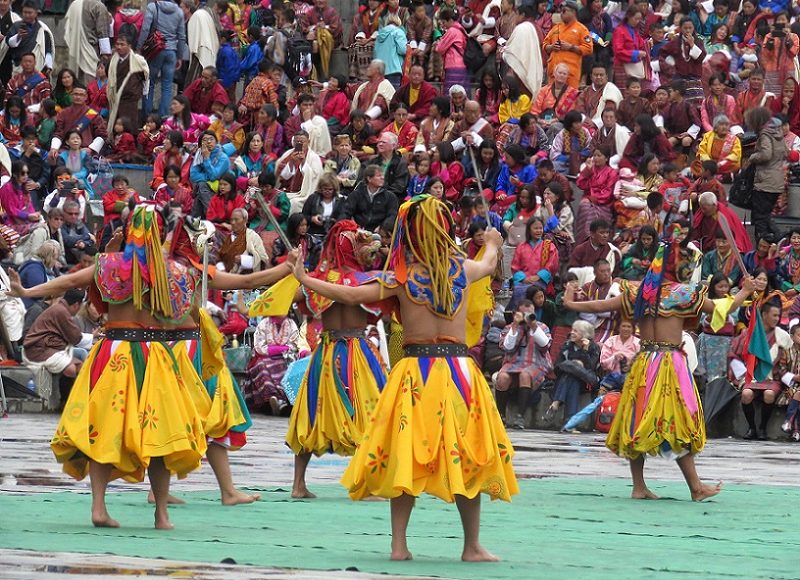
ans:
(144, 253)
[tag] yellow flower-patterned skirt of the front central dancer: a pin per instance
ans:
(436, 429)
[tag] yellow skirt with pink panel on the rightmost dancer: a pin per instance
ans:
(659, 411)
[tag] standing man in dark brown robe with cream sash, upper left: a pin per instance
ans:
(128, 80)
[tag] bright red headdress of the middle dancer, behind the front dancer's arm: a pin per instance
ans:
(347, 247)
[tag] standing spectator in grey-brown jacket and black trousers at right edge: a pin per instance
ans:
(769, 159)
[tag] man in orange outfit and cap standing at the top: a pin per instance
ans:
(568, 42)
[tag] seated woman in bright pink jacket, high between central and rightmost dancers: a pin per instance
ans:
(597, 181)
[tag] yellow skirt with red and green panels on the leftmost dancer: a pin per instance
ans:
(129, 404)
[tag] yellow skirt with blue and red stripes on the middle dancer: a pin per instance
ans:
(337, 396)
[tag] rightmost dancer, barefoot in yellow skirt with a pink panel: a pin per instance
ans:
(660, 412)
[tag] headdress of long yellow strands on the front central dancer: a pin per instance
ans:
(424, 234)
